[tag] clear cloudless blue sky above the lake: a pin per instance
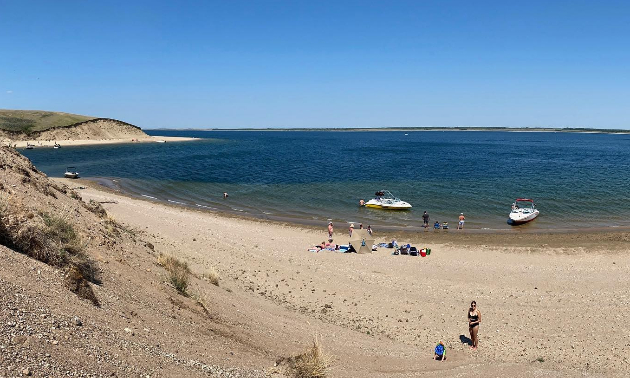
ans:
(313, 63)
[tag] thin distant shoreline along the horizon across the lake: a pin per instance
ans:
(411, 129)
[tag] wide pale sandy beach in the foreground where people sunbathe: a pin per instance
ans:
(553, 304)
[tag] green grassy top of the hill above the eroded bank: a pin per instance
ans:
(28, 121)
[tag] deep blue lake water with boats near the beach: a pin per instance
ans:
(577, 180)
